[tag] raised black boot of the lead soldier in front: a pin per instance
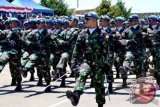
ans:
(73, 96)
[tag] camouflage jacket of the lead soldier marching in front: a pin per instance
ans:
(91, 48)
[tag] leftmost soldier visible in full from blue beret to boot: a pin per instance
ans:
(14, 38)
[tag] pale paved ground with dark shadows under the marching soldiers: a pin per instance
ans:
(34, 96)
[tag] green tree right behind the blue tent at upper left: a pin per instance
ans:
(60, 8)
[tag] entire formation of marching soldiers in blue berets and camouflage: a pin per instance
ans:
(90, 45)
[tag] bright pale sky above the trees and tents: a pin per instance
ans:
(137, 5)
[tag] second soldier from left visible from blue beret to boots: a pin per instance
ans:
(43, 67)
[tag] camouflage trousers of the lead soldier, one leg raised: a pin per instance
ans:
(97, 75)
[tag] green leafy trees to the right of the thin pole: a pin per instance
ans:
(119, 9)
